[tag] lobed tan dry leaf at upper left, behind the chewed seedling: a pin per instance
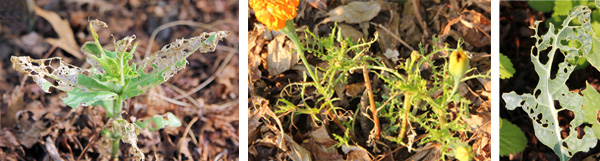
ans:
(66, 40)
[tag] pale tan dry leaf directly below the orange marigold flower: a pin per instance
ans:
(280, 57)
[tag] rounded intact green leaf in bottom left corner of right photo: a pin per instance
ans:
(512, 139)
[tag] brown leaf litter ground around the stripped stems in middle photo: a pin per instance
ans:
(401, 27)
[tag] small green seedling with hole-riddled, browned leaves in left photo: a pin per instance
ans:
(113, 77)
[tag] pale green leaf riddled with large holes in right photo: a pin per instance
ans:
(540, 105)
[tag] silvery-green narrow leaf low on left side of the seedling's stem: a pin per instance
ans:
(76, 97)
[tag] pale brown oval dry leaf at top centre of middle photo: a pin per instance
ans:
(354, 12)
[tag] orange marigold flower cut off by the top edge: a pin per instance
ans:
(274, 13)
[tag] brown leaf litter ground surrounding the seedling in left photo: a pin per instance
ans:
(38, 126)
